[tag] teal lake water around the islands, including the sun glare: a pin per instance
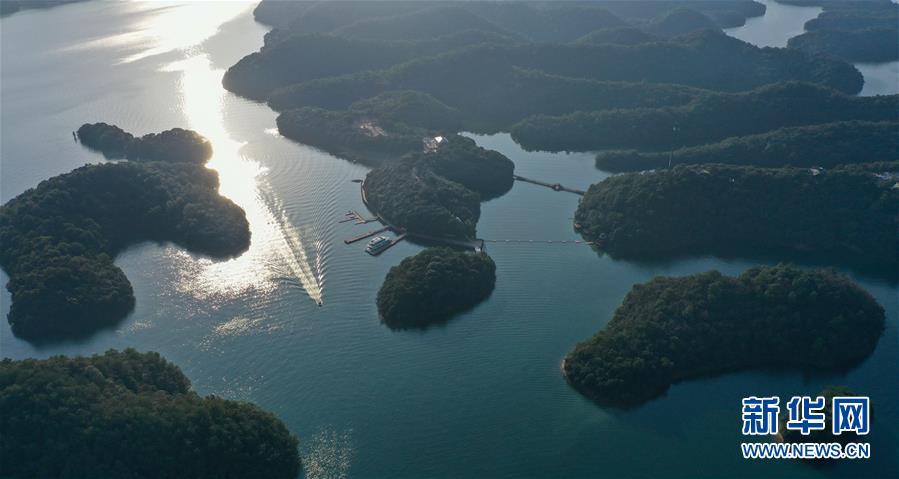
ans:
(479, 397)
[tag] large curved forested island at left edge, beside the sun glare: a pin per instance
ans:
(58, 240)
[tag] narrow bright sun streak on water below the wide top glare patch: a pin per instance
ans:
(278, 250)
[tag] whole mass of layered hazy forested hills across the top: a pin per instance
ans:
(574, 76)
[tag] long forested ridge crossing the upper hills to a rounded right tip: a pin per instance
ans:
(466, 77)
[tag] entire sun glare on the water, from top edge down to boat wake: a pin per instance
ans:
(278, 251)
